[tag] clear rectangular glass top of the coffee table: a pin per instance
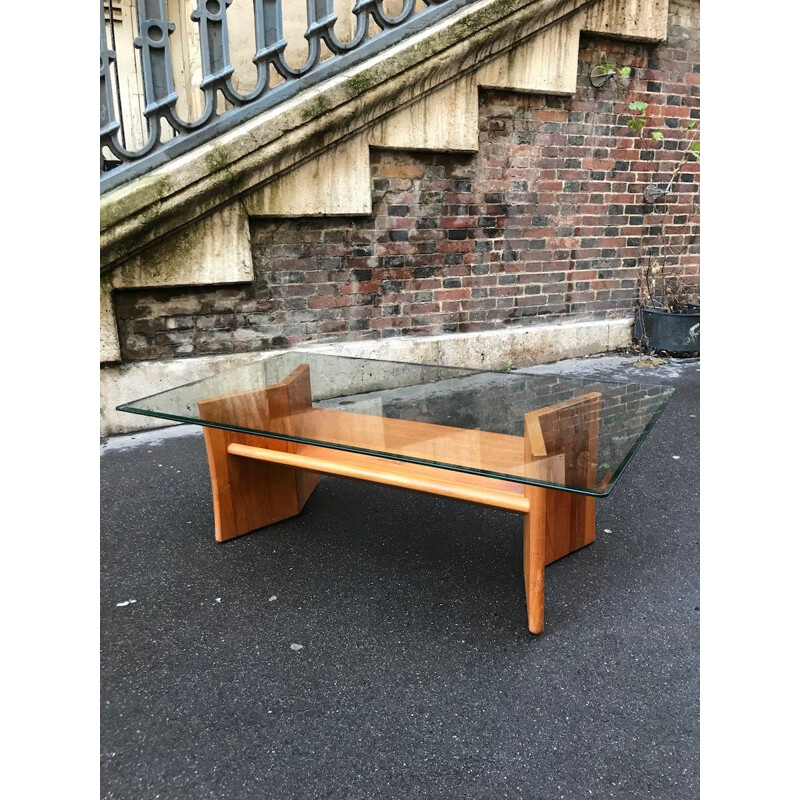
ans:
(502, 425)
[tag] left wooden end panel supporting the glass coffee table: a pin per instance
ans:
(251, 494)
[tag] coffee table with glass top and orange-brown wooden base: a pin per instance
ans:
(544, 446)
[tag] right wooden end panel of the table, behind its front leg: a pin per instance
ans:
(570, 429)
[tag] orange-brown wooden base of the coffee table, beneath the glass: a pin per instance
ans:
(257, 481)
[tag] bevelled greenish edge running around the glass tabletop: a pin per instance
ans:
(667, 396)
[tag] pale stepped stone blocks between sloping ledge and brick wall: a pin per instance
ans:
(337, 182)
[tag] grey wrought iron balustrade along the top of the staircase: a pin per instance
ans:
(147, 117)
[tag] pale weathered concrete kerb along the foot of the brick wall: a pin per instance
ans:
(485, 349)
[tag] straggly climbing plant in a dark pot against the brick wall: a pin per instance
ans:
(667, 315)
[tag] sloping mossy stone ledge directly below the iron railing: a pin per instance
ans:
(145, 210)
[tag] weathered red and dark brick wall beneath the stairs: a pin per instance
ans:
(546, 221)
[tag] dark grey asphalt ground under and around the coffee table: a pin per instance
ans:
(417, 677)
